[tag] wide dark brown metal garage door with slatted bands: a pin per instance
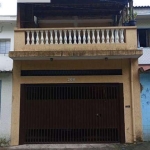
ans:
(71, 113)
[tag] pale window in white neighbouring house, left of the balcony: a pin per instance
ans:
(4, 46)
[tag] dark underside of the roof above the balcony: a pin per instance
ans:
(103, 9)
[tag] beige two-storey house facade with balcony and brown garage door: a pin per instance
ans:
(75, 73)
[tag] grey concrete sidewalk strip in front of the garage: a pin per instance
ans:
(138, 146)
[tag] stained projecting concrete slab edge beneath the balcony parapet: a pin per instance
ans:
(84, 54)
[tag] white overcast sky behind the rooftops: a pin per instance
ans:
(8, 7)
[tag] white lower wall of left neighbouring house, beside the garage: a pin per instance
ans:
(6, 102)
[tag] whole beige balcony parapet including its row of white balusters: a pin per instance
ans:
(76, 39)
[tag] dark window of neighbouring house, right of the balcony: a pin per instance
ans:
(143, 37)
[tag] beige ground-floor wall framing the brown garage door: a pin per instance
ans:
(126, 79)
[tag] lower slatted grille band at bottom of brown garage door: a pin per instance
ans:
(71, 135)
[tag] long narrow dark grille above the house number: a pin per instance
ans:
(70, 72)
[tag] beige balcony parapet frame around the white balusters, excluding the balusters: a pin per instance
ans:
(130, 38)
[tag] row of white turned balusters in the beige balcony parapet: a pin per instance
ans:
(74, 36)
